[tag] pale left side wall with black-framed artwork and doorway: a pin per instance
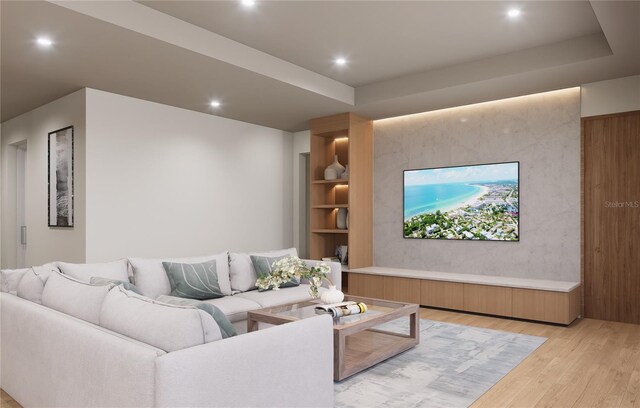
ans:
(44, 244)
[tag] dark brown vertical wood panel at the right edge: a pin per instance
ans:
(611, 162)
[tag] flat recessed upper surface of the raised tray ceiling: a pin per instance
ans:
(384, 40)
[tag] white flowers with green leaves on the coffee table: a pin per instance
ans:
(288, 269)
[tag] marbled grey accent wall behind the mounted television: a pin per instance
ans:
(541, 131)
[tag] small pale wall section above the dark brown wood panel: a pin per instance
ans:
(612, 96)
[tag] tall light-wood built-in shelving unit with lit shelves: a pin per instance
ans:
(350, 137)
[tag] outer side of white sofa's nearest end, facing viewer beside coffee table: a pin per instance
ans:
(290, 365)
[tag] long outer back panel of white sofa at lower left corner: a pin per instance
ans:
(50, 359)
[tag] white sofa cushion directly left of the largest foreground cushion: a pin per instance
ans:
(74, 297)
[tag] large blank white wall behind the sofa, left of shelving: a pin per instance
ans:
(164, 181)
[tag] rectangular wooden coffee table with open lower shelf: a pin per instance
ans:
(357, 342)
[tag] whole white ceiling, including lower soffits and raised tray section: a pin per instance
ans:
(272, 65)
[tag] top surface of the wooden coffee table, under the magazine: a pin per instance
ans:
(377, 309)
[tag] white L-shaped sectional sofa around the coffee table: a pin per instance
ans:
(53, 358)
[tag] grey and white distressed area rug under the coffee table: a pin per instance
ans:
(451, 367)
